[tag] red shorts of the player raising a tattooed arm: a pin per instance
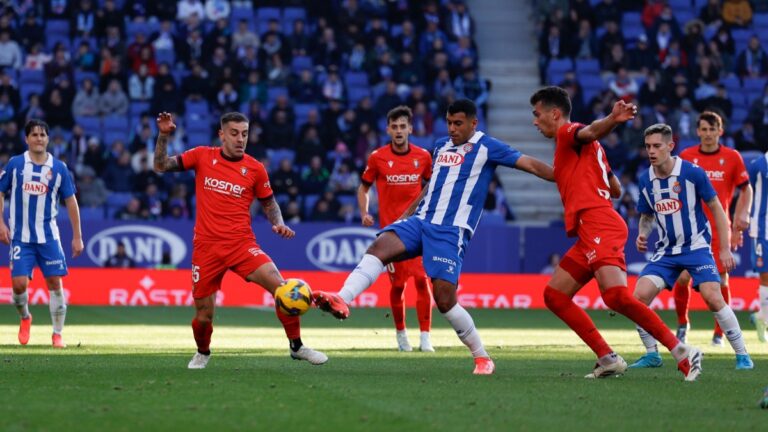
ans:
(211, 259)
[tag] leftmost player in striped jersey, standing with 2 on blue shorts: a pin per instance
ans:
(36, 181)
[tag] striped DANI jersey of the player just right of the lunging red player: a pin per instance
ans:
(676, 201)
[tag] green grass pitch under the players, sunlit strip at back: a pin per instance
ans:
(125, 370)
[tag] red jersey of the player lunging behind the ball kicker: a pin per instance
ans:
(581, 175)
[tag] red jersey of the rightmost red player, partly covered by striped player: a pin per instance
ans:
(725, 169)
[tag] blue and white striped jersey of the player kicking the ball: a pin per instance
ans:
(460, 178)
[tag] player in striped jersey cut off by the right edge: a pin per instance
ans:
(758, 231)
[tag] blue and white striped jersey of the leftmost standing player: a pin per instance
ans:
(34, 196)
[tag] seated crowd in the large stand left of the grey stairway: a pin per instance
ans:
(315, 78)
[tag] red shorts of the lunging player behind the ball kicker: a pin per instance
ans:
(602, 235)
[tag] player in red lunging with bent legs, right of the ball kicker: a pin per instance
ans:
(586, 185)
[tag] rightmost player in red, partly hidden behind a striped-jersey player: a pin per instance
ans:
(727, 172)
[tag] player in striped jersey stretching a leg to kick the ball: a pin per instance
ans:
(448, 213)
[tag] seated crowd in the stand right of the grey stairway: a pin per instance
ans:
(673, 58)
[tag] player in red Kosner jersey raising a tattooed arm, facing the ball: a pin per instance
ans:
(226, 183)
